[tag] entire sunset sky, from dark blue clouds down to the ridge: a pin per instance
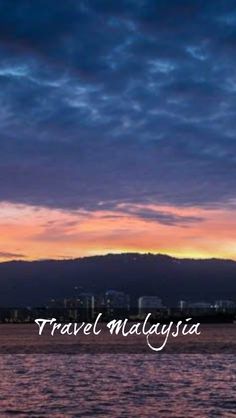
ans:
(117, 128)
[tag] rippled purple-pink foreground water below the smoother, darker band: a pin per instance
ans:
(121, 385)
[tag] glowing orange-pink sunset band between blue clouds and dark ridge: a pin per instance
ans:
(37, 233)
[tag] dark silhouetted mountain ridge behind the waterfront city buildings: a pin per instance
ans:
(34, 283)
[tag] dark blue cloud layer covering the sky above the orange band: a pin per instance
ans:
(118, 102)
